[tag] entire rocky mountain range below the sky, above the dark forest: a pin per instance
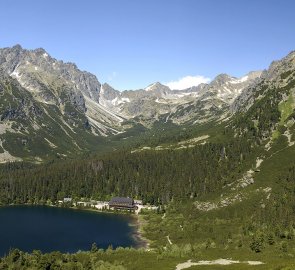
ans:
(49, 108)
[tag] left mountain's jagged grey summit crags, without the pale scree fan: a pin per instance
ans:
(36, 70)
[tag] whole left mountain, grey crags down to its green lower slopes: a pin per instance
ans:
(49, 108)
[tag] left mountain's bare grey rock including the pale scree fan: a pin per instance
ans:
(60, 84)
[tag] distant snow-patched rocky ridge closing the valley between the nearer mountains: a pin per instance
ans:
(157, 101)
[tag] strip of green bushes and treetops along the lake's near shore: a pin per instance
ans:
(98, 259)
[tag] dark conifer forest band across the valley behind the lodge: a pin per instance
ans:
(157, 177)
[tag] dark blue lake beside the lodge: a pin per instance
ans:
(66, 230)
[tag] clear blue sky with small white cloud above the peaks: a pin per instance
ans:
(130, 44)
